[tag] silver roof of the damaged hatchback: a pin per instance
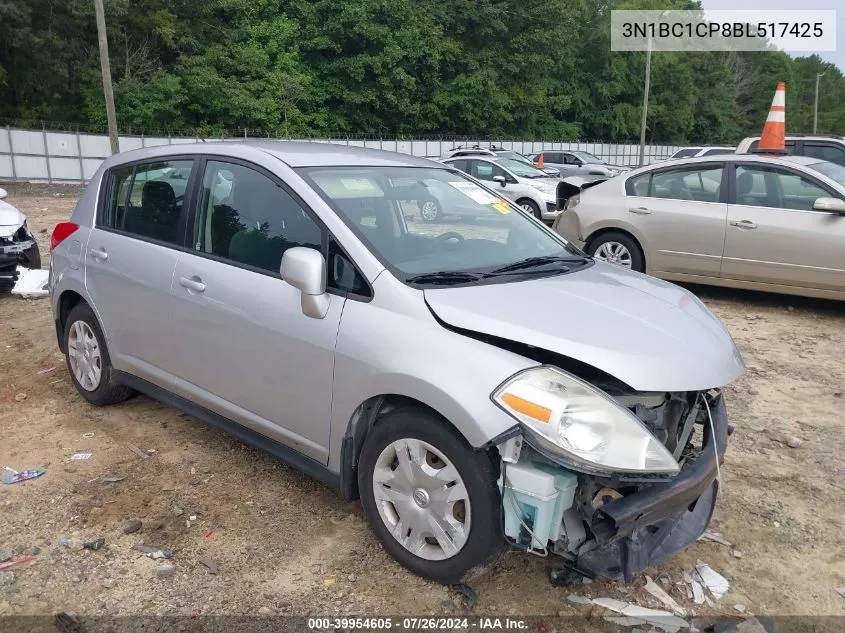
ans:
(294, 153)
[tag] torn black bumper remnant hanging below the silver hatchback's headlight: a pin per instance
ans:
(646, 528)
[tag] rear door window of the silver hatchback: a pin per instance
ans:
(146, 200)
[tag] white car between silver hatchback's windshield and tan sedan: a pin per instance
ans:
(530, 188)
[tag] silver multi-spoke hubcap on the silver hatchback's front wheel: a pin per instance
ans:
(422, 499)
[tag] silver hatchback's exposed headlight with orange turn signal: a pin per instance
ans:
(570, 418)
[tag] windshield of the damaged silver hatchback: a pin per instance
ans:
(423, 220)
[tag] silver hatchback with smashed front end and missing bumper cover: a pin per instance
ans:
(476, 381)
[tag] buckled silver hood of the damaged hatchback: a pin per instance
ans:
(648, 333)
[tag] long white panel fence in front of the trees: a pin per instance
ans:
(43, 156)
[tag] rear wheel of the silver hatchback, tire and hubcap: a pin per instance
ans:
(88, 359)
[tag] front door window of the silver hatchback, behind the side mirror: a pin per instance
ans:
(247, 218)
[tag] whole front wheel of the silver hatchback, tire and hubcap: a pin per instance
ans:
(431, 500)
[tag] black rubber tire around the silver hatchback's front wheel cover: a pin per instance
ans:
(485, 542)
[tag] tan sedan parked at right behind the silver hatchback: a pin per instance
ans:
(739, 220)
